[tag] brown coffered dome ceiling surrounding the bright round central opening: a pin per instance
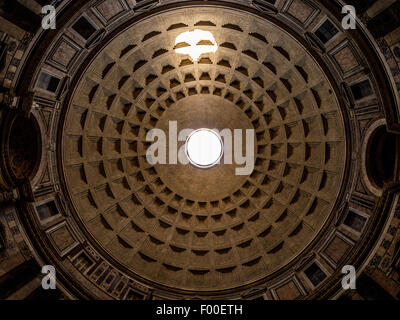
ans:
(204, 229)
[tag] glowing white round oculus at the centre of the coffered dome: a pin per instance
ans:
(204, 148)
